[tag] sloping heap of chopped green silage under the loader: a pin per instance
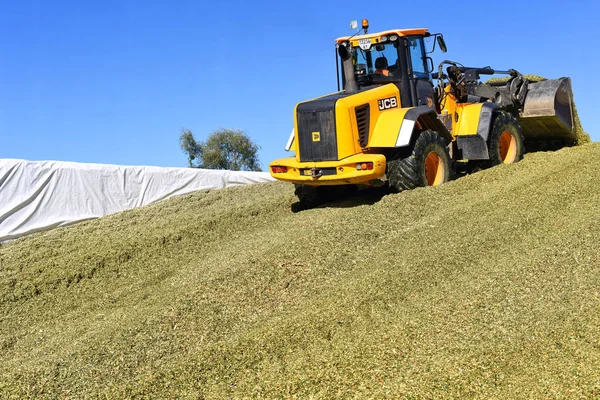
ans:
(487, 286)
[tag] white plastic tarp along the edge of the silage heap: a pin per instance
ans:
(41, 195)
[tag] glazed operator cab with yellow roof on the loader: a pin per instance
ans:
(398, 57)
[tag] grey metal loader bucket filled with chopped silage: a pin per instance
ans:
(548, 111)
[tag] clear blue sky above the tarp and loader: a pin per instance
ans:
(115, 81)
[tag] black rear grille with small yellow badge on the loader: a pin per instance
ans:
(316, 135)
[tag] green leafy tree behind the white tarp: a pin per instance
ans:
(228, 149)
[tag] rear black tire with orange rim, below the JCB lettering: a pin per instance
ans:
(413, 171)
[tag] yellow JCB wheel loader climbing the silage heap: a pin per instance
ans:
(388, 124)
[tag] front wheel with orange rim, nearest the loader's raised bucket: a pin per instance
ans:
(505, 142)
